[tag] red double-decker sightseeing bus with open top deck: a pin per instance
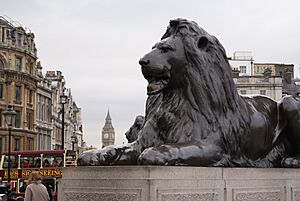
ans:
(48, 163)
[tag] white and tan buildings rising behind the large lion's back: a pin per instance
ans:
(270, 79)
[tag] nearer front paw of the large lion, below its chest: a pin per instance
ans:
(152, 157)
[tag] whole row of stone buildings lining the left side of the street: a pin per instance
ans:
(34, 97)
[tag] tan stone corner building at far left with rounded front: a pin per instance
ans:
(18, 84)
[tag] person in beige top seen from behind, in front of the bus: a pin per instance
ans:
(36, 191)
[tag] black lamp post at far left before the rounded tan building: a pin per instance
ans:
(10, 116)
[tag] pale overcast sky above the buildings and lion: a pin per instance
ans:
(97, 44)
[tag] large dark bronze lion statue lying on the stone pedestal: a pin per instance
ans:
(195, 116)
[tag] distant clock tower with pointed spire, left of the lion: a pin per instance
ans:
(108, 132)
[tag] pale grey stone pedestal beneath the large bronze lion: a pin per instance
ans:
(161, 183)
